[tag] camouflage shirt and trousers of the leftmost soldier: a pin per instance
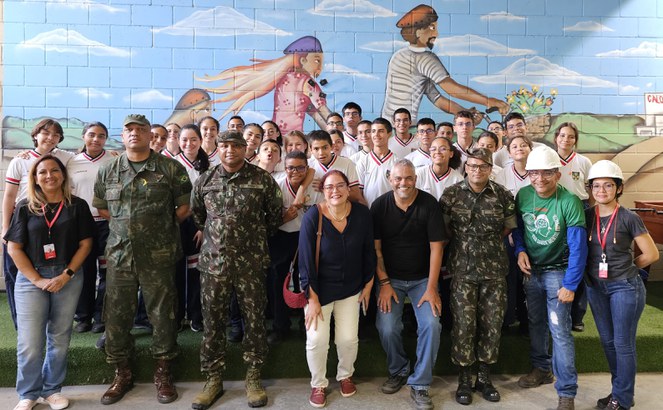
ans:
(142, 248)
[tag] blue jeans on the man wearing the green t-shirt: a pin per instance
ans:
(547, 316)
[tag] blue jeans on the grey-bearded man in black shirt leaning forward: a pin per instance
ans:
(390, 326)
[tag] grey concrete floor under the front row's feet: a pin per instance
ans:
(293, 394)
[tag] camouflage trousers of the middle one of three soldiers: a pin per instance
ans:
(215, 297)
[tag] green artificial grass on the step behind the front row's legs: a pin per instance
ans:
(287, 360)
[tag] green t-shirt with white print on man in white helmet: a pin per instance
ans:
(545, 221)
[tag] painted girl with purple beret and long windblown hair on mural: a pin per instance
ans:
(292, 77)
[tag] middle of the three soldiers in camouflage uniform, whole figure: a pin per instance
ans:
(238, 206)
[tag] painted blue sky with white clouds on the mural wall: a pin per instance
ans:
(97, 60)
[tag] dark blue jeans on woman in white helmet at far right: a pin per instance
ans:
(617, 307)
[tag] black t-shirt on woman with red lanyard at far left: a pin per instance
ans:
(74, 224)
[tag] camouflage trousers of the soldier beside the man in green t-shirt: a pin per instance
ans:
(478, 311)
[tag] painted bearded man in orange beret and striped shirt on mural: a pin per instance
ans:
(414, 71)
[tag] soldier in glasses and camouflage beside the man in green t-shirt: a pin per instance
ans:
(478, 213)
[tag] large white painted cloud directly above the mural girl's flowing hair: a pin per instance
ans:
(221, 21)
